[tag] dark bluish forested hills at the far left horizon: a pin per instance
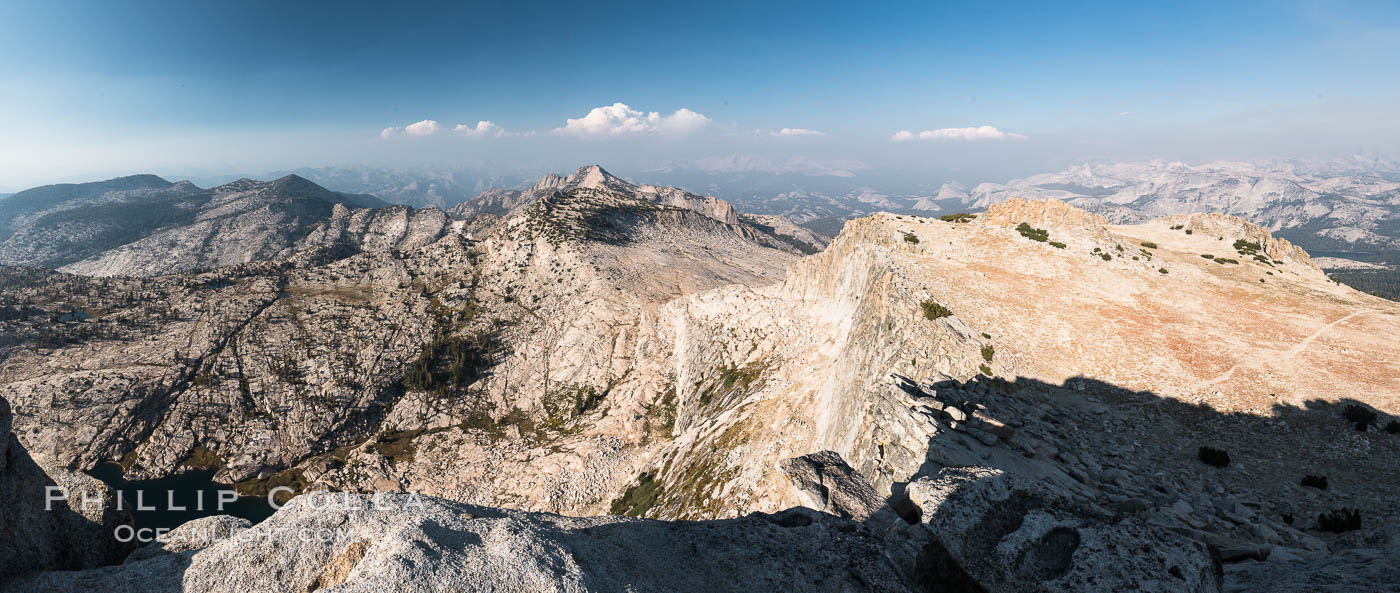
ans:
(143, 224)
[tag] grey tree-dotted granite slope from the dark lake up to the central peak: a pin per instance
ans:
(344, 352)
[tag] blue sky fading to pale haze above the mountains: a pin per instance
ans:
(106, 89)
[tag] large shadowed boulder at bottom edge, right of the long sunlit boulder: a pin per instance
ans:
(981, 531)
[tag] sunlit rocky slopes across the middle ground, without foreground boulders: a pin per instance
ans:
(614, 349)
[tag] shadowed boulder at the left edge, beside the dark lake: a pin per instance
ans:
(73, 531)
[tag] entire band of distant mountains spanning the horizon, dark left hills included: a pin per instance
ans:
(143, 224)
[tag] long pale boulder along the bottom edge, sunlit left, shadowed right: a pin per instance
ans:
(409, 543)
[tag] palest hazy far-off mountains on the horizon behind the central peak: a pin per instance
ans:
(1339, 206)
